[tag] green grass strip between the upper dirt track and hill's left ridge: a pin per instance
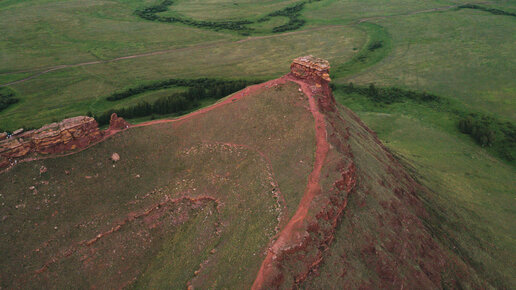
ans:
(75, 91)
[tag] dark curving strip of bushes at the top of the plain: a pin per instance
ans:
(292, 12)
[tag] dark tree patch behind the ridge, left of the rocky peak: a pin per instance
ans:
(198, 89)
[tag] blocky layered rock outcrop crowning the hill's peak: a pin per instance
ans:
(311, 68)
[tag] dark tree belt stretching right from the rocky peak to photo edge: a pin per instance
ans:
(487, 131)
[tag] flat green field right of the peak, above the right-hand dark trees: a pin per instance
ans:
(468, 55)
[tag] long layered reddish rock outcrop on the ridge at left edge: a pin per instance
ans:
(69, 134)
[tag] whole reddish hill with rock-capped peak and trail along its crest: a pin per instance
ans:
(276, 185)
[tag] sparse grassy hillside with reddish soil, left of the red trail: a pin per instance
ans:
(84, 194)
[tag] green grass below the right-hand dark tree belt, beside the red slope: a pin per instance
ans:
(471, 196)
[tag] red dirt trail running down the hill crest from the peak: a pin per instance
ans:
(291, 233)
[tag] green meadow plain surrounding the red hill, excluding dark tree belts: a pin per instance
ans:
(467, 56)
